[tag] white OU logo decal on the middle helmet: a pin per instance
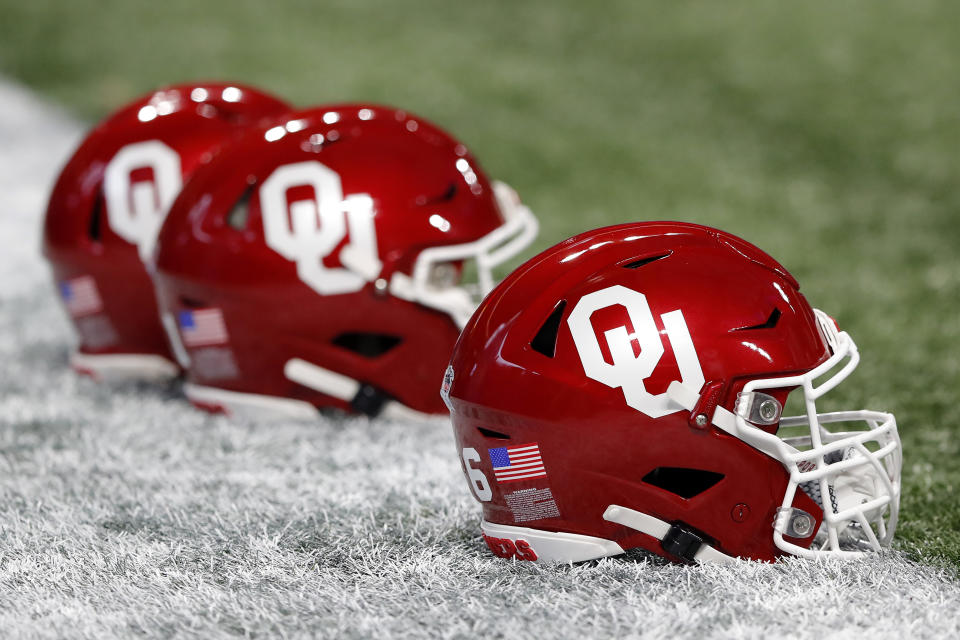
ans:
(307, 231)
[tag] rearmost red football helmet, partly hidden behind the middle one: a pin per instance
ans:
(107, 206)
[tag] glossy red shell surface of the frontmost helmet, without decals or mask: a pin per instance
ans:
(596, 449)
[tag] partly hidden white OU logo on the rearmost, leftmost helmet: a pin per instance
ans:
(136, 208)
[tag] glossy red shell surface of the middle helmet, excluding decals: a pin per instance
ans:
(209, 258)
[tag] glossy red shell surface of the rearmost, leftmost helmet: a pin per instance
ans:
(79, 240)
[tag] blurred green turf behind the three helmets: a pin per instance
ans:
(827, 133)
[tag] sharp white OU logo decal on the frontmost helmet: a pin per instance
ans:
(629, 371)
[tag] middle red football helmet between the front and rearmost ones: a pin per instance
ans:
(318, 262)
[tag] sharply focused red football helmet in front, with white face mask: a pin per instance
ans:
(624, 389)
